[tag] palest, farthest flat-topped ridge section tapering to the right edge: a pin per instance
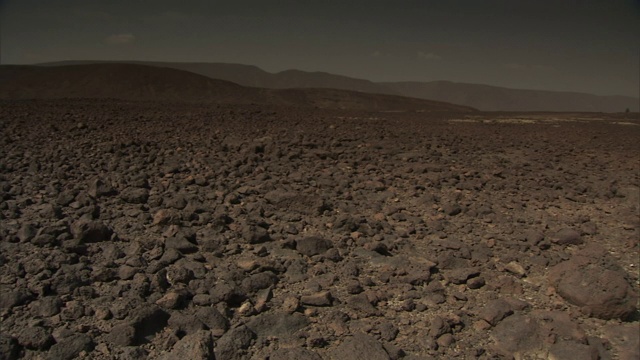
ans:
(494, 98)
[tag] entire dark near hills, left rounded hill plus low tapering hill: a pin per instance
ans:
(149, 83)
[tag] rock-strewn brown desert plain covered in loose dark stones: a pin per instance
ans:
(160, 231)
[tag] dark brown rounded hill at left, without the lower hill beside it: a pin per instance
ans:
(117, 81)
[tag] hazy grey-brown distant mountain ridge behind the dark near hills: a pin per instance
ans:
(482, 97)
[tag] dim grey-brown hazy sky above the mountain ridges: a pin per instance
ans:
(581, 45)
